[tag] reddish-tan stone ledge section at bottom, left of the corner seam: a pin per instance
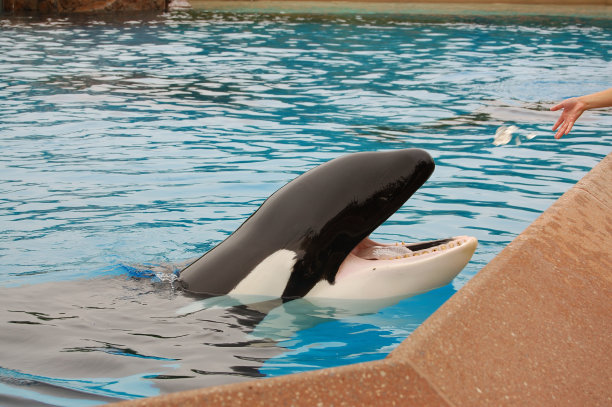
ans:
(381, 383)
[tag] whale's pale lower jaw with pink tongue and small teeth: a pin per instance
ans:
(376, 270)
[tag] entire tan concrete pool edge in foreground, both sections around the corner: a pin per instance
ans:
(531, 328)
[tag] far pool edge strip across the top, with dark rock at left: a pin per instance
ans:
(567, 8)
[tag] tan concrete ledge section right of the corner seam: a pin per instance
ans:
(534, 327)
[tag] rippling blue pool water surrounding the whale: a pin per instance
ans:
(135, 144)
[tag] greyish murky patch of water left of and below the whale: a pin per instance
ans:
(119, 338)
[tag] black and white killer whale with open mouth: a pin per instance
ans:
(310, 238)
